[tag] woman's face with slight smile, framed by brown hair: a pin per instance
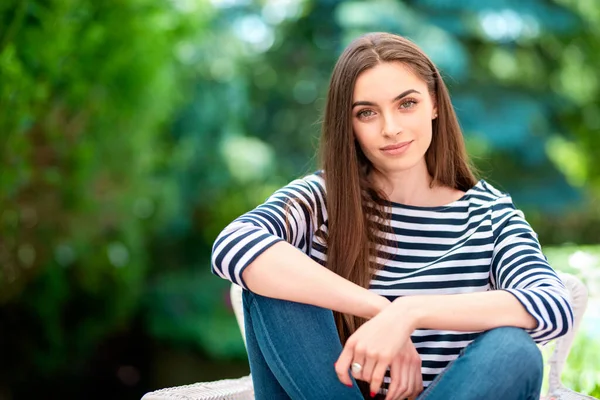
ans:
(392, 114)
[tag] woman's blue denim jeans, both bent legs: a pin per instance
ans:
(292, 348)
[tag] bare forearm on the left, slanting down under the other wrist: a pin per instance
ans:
(284, 272)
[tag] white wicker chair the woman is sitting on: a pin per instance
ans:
(241, 389)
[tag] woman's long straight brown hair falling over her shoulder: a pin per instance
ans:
(353, 212)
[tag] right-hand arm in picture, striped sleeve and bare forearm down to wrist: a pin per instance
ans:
(527, 292)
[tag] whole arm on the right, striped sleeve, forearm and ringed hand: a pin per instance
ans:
(526, 293)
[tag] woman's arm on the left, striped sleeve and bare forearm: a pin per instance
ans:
(265, 251)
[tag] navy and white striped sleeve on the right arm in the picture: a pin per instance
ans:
(520, 267)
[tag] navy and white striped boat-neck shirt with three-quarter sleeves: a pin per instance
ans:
(478, 243)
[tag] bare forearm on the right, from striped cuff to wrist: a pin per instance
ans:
(465, 312)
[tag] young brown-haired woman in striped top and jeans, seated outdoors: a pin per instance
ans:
(393, 268)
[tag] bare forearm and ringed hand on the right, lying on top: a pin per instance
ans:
(380, 340)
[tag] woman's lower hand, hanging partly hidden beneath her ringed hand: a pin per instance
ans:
(405, 373)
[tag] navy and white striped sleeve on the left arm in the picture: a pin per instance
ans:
(290, 215)
